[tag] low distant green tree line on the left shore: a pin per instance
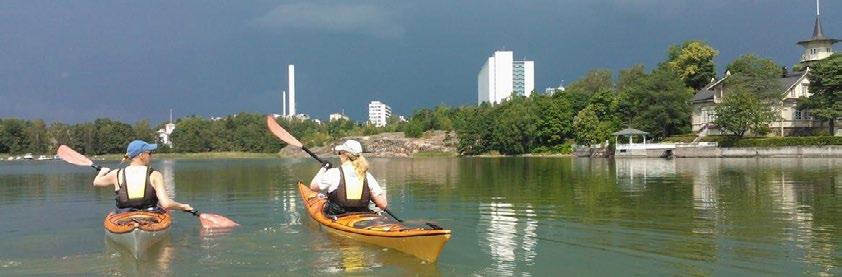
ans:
(243, 132)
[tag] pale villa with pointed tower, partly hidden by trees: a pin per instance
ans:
(793, 86)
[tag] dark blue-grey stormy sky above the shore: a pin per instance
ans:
(74, 61)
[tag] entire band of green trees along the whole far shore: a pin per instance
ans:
(657, 101)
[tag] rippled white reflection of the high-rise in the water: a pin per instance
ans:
(510, 234)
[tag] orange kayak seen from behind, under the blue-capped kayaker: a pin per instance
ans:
(137, 231)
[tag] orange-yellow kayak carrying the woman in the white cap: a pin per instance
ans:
(423, 242)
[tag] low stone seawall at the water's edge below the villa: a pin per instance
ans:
(742, 152)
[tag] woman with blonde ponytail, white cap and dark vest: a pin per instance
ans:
(350, 187)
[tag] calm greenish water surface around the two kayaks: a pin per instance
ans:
(509, 216)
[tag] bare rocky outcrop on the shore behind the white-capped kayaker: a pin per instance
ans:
(391, 145)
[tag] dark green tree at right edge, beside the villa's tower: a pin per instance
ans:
(825, 103)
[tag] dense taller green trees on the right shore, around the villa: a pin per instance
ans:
(657, 101)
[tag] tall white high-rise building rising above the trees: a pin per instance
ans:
(501, 76)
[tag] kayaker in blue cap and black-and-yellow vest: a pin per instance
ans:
(138, 186)
